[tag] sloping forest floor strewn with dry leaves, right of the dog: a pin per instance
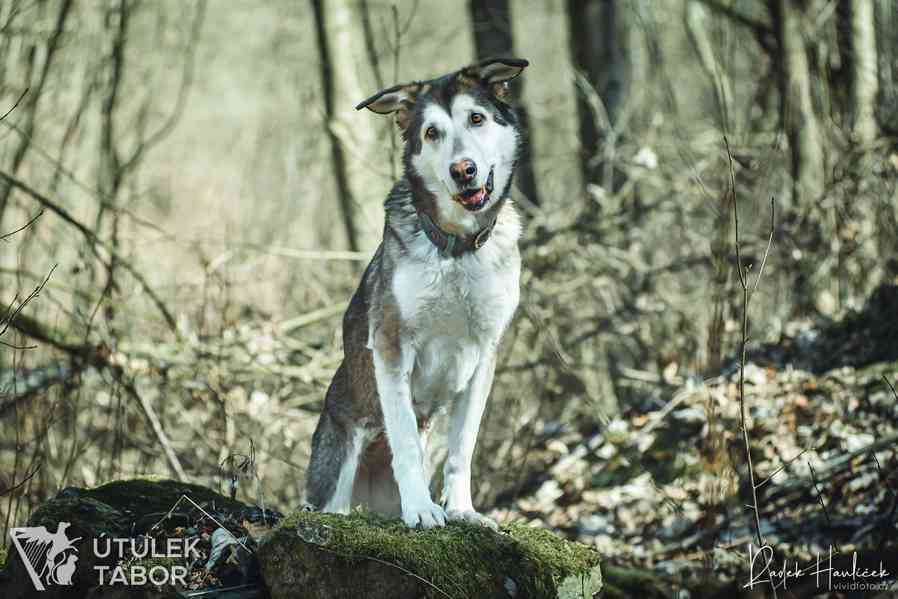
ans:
(659, 490)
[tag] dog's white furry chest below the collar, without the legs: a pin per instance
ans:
(456, 310)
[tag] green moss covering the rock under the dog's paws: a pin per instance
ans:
(460, 559)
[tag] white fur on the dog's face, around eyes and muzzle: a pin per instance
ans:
(489, 145)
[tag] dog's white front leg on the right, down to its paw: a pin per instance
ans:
(463, 428)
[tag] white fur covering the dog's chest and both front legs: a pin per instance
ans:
(457, 310)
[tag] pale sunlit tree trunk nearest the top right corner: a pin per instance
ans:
(861, 64)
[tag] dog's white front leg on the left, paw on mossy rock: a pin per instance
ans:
(393, 361)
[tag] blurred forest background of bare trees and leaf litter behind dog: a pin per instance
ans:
(187, 200)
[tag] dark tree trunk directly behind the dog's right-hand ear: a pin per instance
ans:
(491, 24)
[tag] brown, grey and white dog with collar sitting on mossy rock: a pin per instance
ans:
(421, 333)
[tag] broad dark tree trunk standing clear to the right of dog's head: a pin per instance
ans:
(599, 53)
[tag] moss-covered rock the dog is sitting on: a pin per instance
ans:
(363, 555)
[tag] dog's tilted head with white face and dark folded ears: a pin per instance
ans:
(461, 138)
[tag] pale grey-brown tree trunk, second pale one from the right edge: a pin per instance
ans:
(802, 129)
